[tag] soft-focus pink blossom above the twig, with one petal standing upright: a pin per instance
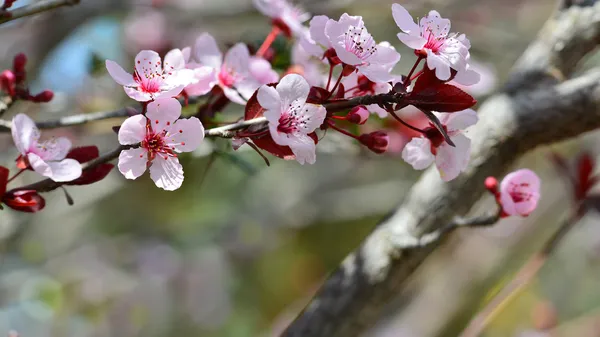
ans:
(232, 73)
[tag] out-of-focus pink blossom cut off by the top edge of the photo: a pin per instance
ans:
(280, 10)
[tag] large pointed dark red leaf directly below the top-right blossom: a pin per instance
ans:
(442, 98)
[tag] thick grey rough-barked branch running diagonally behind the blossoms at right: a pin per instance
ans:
(534, 110)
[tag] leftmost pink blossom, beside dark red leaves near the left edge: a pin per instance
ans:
(46, 158)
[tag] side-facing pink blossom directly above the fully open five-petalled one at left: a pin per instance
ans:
(152, 79)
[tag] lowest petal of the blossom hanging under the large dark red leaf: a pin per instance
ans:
(451, 161)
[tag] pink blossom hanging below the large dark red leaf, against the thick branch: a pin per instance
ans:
(422, 151)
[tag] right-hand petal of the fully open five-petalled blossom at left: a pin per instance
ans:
(185, 135)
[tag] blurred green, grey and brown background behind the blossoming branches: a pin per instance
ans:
(241, 247)
